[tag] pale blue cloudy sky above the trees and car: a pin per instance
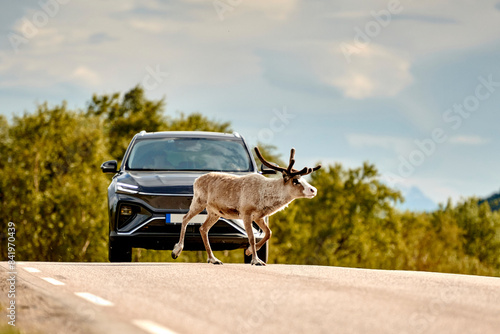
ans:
(412, 87)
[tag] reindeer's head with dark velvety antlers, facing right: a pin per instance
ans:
(293, 177)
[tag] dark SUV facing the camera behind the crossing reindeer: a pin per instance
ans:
(153, 188)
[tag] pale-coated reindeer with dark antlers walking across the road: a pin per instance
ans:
(250, 197)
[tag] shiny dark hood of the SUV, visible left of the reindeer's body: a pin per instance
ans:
(173, 183)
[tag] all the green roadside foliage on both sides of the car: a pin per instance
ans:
(53, 190)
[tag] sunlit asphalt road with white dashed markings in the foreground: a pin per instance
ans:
(237, 298)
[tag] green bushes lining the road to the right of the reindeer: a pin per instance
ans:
(352, 222)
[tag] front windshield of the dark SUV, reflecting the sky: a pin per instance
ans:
(189, 154)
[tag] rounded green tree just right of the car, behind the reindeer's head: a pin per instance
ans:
(345, 224)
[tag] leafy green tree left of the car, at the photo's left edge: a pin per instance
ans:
(53, 192)
